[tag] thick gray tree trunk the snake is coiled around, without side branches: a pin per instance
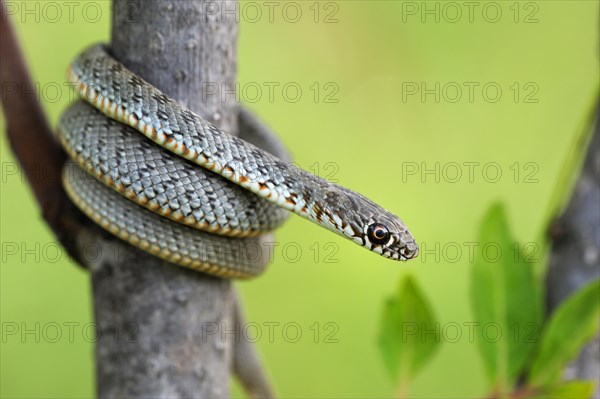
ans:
(157, 322)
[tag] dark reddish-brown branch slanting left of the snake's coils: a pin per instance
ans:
(31, 139)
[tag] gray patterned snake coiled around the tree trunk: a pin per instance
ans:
(160, 177)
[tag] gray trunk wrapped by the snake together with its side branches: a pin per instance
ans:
(159, 327)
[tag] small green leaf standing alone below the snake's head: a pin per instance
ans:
(409, 336)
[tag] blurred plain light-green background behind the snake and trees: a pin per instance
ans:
(365, 55)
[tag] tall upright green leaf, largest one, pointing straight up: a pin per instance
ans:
(506, 300)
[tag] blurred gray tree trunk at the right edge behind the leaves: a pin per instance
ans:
(575, 257)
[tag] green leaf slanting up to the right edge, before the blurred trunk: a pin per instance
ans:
(574, 322)
